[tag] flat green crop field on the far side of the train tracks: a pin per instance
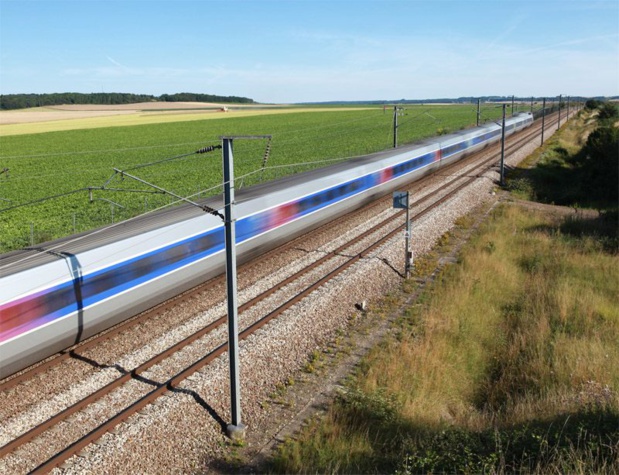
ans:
(42, 165)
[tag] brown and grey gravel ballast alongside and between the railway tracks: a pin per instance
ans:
(182, 432)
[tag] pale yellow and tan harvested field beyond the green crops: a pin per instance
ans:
(90, 116)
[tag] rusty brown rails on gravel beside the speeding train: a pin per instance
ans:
(156, 381)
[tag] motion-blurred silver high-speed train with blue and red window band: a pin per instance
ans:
(67, 290)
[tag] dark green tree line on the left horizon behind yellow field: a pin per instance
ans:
(22, 101)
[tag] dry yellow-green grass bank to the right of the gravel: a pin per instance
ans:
(508, 364)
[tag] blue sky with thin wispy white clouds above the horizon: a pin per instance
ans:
(309, 50)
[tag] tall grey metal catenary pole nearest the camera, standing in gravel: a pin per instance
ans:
(236, 430)
